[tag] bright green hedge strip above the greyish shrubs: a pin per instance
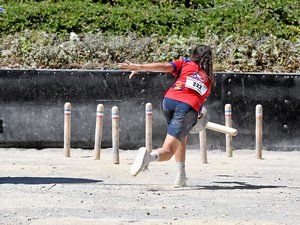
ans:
(246, 18)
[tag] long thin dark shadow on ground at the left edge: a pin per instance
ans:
(45, 180)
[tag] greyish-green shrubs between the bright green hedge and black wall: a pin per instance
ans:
(99, 51)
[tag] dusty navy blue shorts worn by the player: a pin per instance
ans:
(180, 117)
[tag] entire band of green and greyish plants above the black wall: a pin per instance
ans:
(245, 35)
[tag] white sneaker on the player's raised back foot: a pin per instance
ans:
(141, 161)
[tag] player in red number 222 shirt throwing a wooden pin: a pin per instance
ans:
(181, 106)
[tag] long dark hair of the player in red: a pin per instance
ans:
(202, 55)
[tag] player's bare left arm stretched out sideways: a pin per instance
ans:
(154, 67)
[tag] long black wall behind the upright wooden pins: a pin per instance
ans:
(31, 107)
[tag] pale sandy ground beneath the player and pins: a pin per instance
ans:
(44, 187)
